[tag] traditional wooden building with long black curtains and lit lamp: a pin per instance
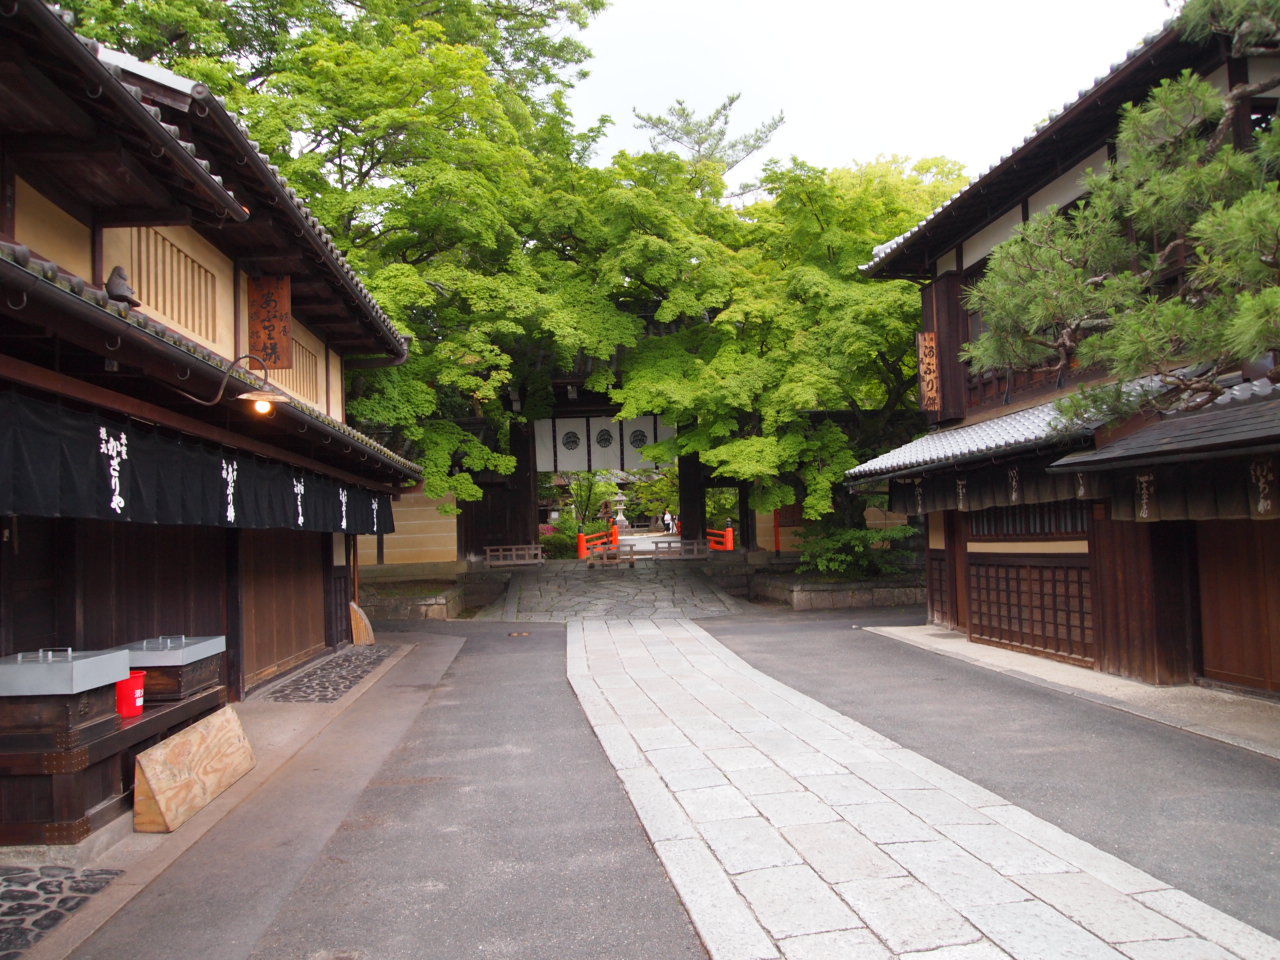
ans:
(156, 269)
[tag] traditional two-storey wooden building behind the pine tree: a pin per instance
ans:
(1140, 551)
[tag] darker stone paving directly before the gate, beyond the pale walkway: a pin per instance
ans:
(566, 592)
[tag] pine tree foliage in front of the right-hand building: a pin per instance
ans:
(1172, 264)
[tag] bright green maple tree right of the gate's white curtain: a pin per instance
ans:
(752, 340)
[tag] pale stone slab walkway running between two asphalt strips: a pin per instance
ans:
(792, 831)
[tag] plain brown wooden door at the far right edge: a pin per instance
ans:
(1240, 575)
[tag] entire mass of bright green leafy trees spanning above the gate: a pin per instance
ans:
(432, 139)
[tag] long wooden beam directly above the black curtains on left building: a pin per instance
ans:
(53, 382)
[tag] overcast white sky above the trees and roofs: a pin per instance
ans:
(968, 80)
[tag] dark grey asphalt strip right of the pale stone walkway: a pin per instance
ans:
(1196, 813)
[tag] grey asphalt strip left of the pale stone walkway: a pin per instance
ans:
(458, 811)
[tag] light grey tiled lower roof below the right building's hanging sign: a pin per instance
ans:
(1026, 429)
